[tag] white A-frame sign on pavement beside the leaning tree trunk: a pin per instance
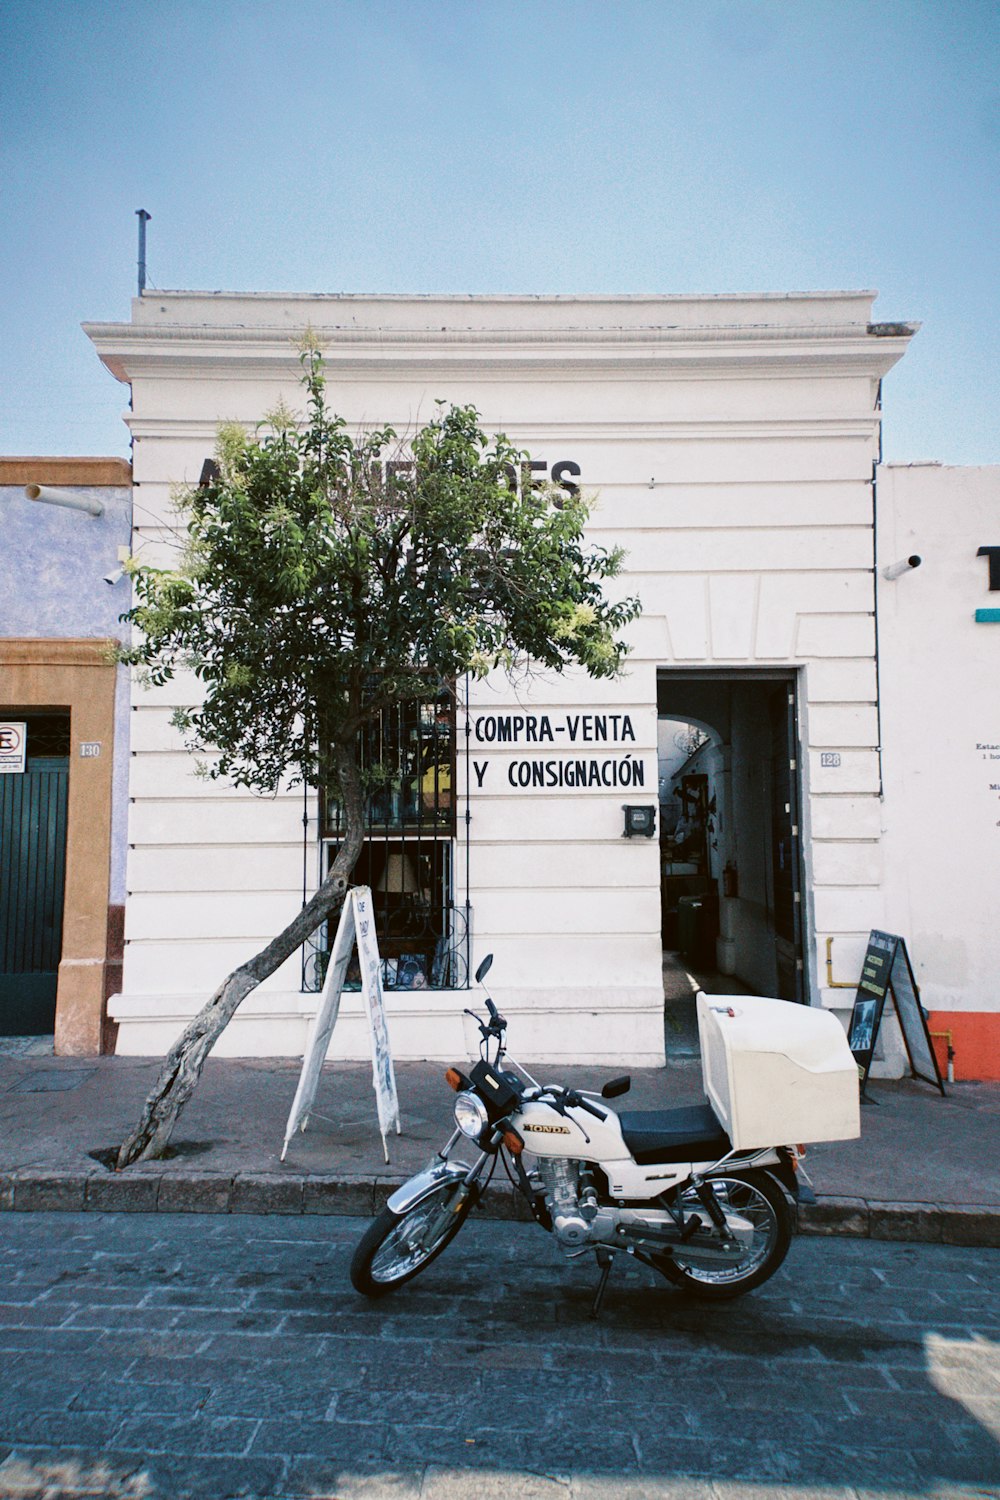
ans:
(358, 926)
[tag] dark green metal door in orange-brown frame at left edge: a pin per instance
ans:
(32, 878)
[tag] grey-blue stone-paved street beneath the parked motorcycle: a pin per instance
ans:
(161, 1357)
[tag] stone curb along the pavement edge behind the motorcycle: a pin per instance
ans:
(145, 1192)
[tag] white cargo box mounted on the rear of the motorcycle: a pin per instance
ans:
(777, 1073)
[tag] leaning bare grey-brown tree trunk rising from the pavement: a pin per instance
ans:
(184, 1063)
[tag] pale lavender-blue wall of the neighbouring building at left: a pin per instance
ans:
(52, 586)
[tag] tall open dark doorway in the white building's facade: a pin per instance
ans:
(729, 839)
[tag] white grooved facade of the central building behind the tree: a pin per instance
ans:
(732, 448)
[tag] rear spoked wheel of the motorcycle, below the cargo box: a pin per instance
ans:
(759, 1219)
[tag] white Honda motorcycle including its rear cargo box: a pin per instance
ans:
(701, 1193)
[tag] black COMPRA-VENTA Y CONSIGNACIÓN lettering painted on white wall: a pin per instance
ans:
(572, 751)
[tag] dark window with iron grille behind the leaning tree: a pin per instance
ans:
(409, 860)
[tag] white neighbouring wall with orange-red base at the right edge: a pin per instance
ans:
(939, 631)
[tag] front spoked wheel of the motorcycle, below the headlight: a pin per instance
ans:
(397, 1247)
